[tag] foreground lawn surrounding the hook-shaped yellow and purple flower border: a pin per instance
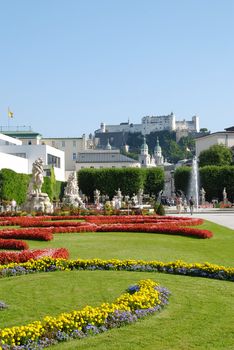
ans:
(197, 317)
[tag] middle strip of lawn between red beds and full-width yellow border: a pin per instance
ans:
(124, 245)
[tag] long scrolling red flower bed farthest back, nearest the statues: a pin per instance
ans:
(129, 223)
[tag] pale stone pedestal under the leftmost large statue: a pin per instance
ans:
(40, 202)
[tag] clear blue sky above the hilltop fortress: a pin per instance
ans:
(67, 65)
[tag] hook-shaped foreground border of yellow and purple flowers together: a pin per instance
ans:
(138, 301)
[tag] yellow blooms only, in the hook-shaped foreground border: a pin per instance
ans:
(146, 297)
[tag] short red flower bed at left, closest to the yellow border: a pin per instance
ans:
(18, 257)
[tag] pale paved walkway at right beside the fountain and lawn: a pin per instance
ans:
(219, 217)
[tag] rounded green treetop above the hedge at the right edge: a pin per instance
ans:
(216, 155)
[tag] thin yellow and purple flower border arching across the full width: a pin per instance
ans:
(178, 267)
